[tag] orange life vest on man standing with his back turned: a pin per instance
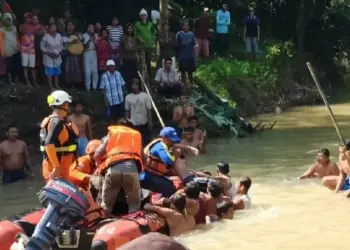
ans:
(124, 143)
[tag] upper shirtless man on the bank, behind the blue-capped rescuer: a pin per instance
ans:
(181, 114)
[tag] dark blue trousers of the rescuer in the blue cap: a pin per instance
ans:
(157, 183)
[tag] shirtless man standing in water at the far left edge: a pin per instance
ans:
(14, 158)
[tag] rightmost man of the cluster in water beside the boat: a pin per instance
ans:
(242, 200)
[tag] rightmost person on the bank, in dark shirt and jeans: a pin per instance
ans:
(251, 34)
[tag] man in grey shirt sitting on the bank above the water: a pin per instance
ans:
(168, 79)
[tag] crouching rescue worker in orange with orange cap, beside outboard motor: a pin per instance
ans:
(83, 169)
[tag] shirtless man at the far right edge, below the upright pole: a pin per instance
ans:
(341, 182)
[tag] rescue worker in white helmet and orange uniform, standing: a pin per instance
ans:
(58, 138)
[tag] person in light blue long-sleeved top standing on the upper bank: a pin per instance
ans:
(223, 21)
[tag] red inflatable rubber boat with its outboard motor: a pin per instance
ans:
(59, 224)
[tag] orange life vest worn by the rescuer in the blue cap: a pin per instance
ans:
(154, 164)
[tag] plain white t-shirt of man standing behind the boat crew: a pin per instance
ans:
(137, 105)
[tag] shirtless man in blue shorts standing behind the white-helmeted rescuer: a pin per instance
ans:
(83, 122)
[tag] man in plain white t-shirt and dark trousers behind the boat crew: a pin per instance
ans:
(138, 109)
